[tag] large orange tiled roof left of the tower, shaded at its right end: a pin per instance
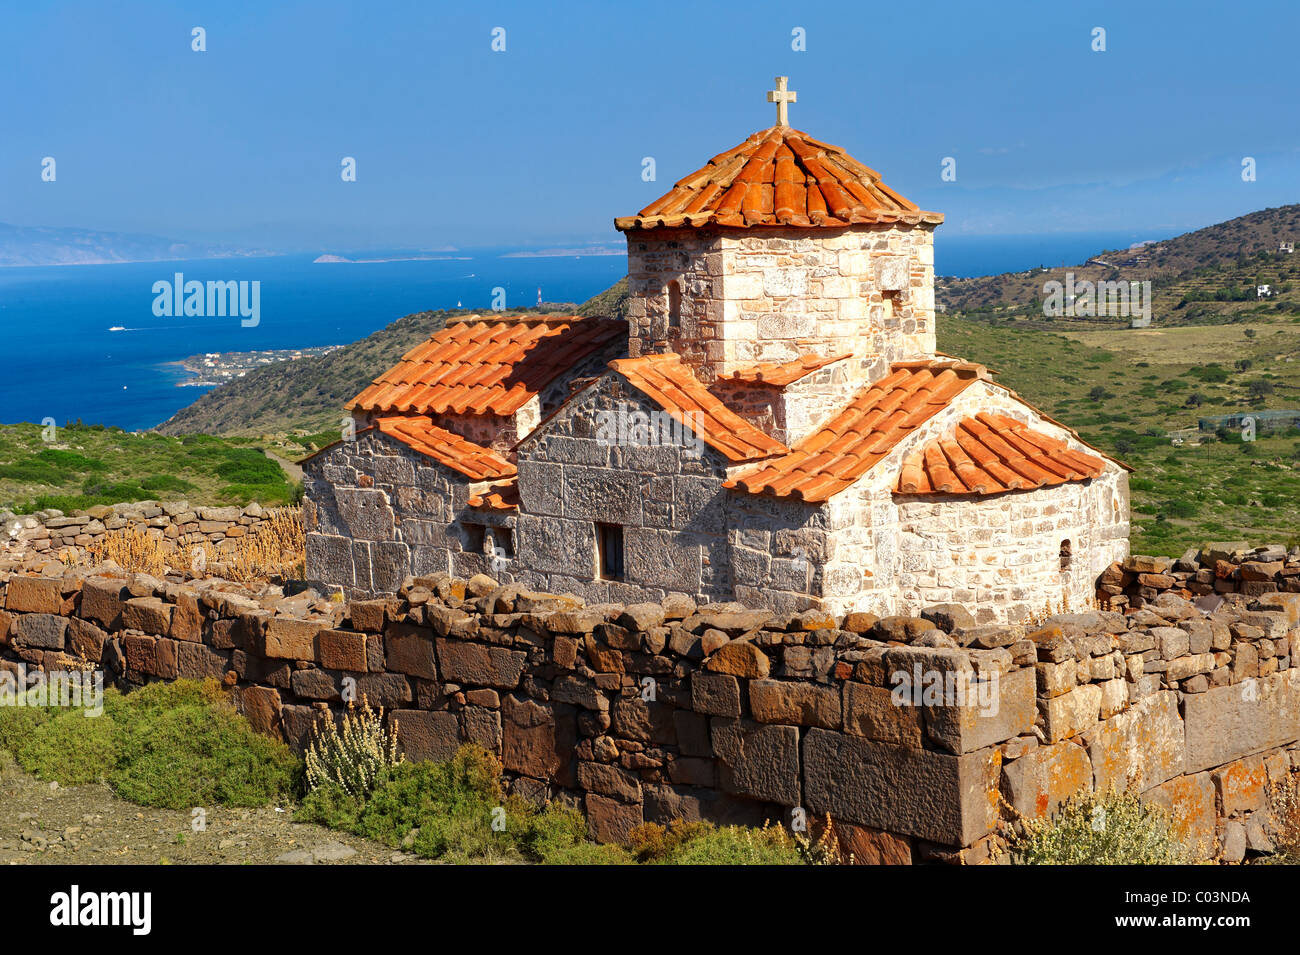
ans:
(488, 367)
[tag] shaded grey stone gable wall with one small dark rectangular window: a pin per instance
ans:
(682, 531)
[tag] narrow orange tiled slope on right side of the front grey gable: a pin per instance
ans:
(675, 389)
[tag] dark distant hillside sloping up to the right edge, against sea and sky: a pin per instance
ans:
(1206, 277)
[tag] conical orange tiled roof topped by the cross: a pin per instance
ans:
(779, 177)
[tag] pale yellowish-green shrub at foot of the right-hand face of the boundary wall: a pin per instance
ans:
(1102, 830)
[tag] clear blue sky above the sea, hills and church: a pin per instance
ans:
(543, 144)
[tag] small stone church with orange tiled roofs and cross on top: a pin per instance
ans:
(770, 426)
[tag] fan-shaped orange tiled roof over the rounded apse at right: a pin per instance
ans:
(990, 454)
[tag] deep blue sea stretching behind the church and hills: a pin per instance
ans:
(67, 362)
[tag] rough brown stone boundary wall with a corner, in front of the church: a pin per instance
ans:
(661, 711)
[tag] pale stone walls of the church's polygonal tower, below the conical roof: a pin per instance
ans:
(777, 294)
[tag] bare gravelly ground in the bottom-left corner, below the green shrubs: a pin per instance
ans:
(44, 823)
